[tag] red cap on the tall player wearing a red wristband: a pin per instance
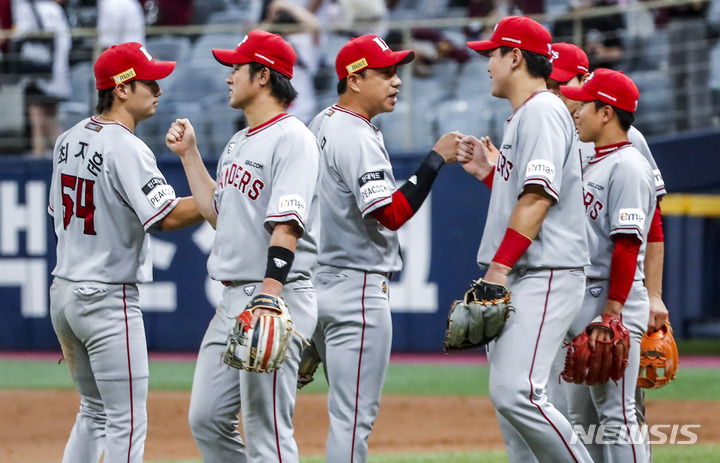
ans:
(516, 32)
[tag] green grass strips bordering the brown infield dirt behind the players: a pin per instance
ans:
(459, 380)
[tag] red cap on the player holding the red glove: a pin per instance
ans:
(608, 86)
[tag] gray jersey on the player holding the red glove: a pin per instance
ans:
(619, 198)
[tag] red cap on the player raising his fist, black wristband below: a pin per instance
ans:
(261, 47)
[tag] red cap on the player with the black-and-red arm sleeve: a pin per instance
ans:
(368, 51)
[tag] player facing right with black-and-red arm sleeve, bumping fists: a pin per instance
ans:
(361, 210)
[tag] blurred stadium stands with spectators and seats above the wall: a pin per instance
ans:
(669, 47)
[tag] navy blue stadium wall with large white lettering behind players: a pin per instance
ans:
(439, 247)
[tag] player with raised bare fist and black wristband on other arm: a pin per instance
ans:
(260, 206)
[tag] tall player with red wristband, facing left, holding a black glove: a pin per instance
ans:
(532, 241)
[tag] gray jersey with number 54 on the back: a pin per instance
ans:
(106, 192)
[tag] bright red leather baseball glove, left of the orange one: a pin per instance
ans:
(609, 359)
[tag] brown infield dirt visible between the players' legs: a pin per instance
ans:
(34, 425)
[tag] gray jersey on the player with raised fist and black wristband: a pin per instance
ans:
(256, 186)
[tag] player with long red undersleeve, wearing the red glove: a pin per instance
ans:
(620, 201)
